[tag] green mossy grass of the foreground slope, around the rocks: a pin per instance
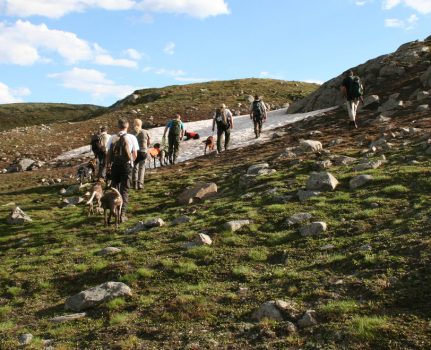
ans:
(367, 277)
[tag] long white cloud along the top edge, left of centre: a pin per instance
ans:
(58, 8)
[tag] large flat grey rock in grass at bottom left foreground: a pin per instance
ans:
(97, 295)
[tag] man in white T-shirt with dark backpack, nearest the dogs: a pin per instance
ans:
(122, 152)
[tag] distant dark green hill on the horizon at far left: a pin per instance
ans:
(27, 114)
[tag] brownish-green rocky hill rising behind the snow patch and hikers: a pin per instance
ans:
(194, 102)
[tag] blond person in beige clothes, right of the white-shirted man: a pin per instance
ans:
(144, 141)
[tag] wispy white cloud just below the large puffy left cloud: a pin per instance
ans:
(92, 81)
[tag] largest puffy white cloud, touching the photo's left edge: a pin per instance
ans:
(23, 43)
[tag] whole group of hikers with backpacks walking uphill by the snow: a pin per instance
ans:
(122, 157)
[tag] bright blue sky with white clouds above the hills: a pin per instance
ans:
(98, 51)
